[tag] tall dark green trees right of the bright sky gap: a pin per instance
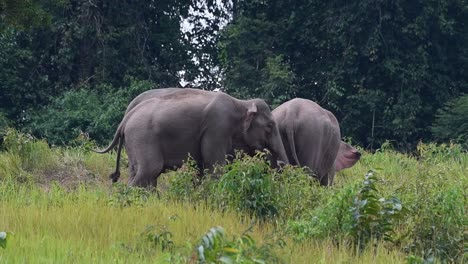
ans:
(382, 68)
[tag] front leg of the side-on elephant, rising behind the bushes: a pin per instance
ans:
(214, 150)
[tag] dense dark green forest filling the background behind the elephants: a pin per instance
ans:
(389, 70)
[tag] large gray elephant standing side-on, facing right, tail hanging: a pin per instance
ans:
(160, 132)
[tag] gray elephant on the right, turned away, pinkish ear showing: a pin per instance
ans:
(311, 137)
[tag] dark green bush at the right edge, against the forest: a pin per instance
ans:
(451, 121)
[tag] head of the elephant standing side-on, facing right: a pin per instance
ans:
(261, 131)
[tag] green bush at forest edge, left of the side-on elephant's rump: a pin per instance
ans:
(96, 113)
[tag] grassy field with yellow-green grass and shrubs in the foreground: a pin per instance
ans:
(57, 206)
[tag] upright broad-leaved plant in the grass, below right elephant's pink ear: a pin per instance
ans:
(374, 217)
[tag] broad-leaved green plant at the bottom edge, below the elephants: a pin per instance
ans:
(216, 248)
